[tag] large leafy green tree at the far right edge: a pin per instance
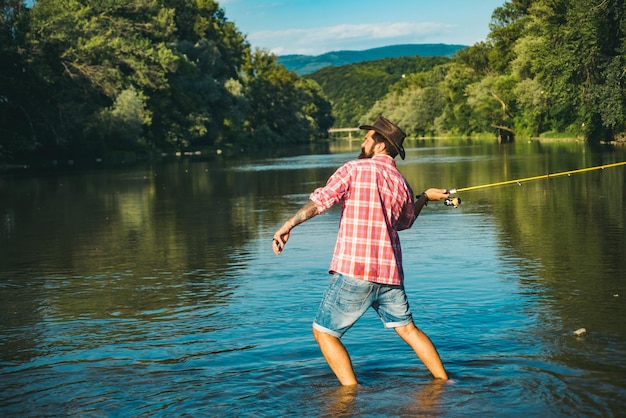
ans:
(576, 57)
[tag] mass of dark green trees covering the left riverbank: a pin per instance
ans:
(139, 75)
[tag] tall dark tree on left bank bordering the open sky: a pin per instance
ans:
(198, 108)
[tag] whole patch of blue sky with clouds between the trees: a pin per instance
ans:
(313, 27)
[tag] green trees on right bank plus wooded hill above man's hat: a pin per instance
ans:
(548, 67)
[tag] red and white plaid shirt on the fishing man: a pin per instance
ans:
(377, 202)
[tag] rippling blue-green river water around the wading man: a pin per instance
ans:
(152, 290)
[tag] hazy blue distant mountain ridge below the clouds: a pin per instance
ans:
(307, 64)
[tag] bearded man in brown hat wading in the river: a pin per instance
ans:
(377, 202)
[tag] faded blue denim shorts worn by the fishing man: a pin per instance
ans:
(347, 299)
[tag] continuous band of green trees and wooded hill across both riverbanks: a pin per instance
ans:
(149, 76)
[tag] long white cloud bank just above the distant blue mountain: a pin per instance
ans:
(315, 41)
